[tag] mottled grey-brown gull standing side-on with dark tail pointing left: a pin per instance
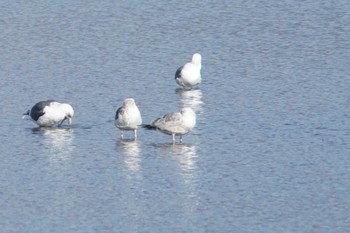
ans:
(175, 123)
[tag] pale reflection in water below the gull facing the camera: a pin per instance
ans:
(131, 150)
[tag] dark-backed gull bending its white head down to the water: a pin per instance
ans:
(50, 112)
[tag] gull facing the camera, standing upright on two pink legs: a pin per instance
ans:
(128, 117)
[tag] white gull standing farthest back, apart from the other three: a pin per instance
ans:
(189, 75)
